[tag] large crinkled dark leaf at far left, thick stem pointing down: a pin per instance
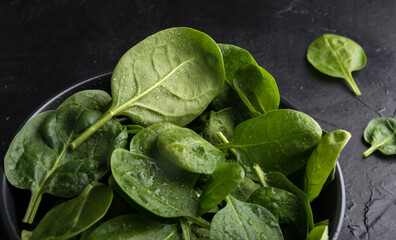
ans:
(40, 159)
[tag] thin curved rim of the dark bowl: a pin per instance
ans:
(12, 230)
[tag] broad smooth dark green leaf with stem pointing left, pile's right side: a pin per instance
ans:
(280, 140)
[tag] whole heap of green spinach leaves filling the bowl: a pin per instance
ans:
(205, 152)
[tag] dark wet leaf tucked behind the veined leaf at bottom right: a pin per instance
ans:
(286, 207)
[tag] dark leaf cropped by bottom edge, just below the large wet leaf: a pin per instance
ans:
(133, 226)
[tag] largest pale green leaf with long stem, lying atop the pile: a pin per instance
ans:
(171, 76)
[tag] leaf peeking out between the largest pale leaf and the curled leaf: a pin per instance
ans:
(234, 57)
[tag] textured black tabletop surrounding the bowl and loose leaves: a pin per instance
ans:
(46, 46)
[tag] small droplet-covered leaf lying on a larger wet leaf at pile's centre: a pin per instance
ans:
(189, 151)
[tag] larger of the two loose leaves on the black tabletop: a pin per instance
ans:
(337, 56)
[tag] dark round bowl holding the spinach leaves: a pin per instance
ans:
(13, 202)
